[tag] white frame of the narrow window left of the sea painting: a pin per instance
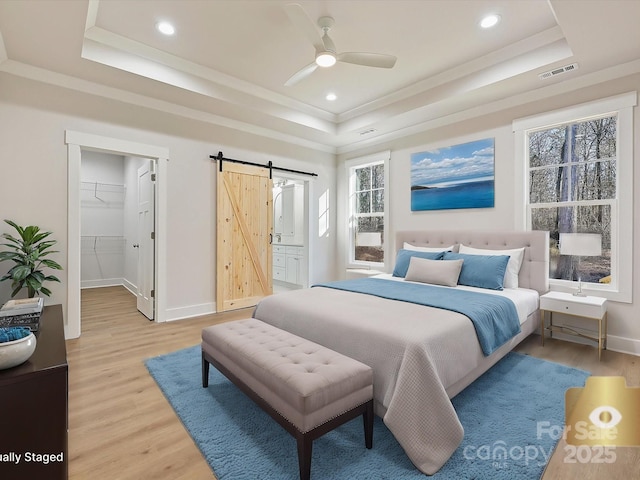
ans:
(350, 166)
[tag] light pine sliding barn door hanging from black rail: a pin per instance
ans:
(244, 226)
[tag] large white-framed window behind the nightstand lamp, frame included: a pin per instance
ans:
(577, 172)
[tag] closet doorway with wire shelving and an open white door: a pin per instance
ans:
(117, 201)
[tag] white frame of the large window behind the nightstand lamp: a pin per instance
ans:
(622, 211)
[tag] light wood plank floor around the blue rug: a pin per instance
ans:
(121, 426)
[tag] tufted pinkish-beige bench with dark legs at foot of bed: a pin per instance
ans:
(307, 388)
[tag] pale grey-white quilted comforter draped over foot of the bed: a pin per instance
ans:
(416, 353)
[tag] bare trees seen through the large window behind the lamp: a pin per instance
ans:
(572, 189)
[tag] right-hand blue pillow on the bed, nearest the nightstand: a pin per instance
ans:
(483, 271)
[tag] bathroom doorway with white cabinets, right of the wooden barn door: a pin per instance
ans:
(290, 245)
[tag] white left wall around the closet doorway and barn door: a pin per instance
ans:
(33, 181)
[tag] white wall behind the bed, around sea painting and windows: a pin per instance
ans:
(624, 318)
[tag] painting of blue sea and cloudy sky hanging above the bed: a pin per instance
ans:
(459, 176)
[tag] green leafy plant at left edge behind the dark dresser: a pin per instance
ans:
(28, 252)
